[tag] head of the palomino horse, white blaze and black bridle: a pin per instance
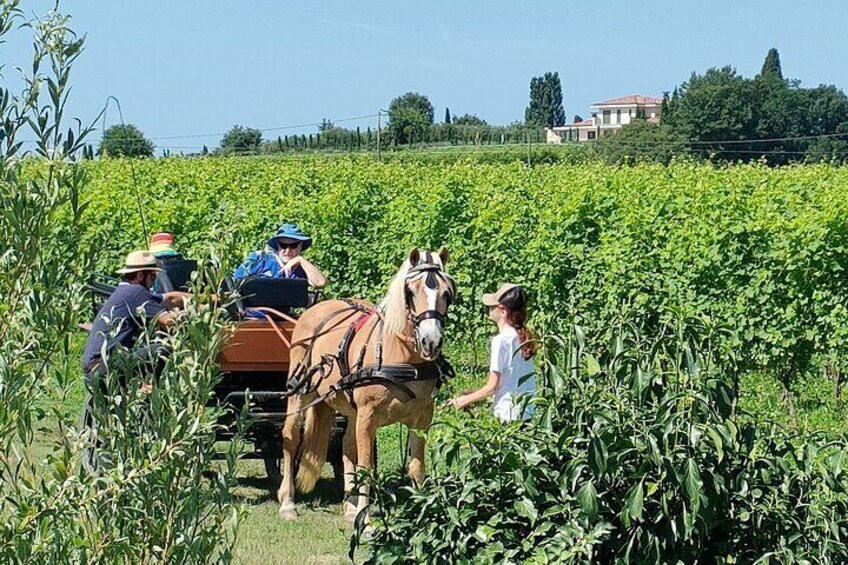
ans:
(429, 292)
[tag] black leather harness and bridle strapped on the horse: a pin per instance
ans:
(357, 374)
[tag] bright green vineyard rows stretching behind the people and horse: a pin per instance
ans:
(762, 251)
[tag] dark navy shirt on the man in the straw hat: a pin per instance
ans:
(128, 309)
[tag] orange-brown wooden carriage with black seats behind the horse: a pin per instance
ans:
(255, 361)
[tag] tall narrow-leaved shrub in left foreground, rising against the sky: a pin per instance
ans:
(159, 498)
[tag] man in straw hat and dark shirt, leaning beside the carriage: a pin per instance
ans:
(123, 317)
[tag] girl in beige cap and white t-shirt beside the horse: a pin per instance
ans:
(511, 366)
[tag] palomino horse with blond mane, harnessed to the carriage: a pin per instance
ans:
(376, 365)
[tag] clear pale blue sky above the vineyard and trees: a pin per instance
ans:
(188, 67)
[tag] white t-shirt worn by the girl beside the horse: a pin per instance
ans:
(507, 359)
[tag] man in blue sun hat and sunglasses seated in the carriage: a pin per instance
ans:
(282, 259)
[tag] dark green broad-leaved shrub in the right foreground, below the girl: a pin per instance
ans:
(635, 456)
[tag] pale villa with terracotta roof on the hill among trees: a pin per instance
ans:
(607, 117)
